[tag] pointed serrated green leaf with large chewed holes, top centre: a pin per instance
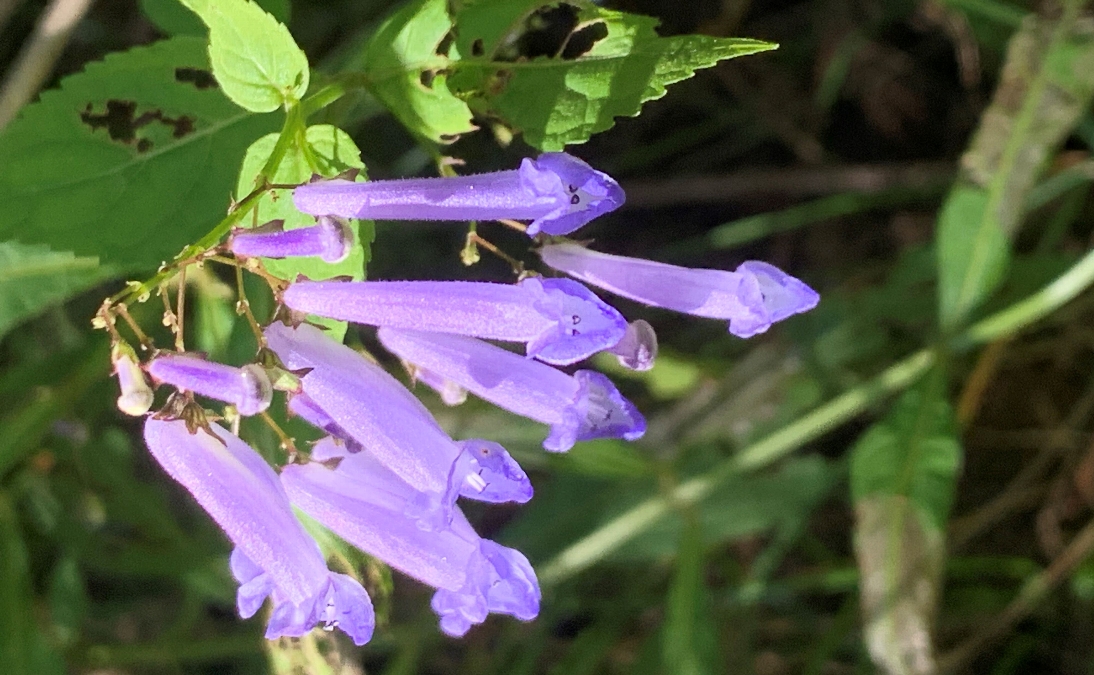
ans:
(556, 101)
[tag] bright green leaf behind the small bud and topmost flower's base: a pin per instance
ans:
(330, 153)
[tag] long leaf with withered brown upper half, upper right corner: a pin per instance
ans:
(1046, 86)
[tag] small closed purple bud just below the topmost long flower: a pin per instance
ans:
(330, 239)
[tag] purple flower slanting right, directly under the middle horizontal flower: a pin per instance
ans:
(581, 408)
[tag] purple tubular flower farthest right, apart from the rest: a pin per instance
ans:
(753, 298)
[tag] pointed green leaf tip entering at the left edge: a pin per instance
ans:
(33, 278)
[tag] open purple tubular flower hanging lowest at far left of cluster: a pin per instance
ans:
(274, 557)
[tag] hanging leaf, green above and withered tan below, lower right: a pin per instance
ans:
(903, 475)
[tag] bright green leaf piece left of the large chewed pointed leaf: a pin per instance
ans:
(405, 72)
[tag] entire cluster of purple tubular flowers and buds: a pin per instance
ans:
(386, 476)
